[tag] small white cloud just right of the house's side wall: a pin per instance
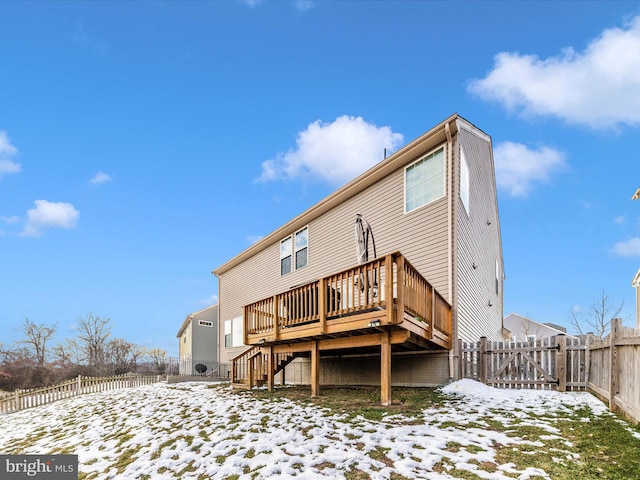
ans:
(518, 167)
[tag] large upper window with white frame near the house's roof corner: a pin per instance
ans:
(424, 180)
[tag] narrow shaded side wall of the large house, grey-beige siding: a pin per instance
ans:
(477, 242)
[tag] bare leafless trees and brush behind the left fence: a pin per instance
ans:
(35, 362)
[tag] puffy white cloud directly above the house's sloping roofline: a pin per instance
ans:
(335, 152)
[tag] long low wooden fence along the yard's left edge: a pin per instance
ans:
(22, 399)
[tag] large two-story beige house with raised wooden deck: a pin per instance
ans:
(299, 292)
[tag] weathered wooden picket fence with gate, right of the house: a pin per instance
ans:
(610, 368)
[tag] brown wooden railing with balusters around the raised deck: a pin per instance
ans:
(389, 281)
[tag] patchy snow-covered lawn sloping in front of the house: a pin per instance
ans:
(196, 430)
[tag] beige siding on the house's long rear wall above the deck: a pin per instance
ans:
(420, 235)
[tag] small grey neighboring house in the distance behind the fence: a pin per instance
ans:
(198, 337)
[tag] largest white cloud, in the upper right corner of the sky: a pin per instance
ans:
(599, 87)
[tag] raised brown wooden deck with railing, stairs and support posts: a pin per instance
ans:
(382, 304)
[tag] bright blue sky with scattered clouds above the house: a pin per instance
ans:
(143, 144)
